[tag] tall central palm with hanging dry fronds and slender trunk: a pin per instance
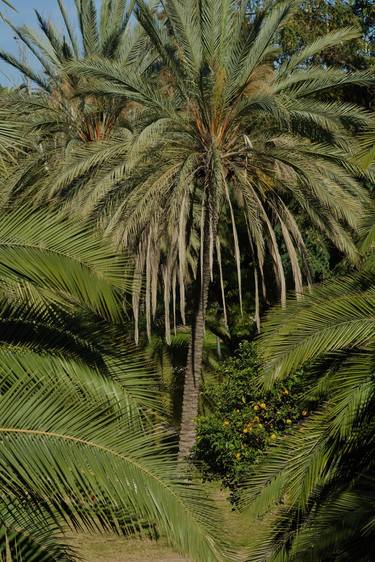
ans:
(221, 132)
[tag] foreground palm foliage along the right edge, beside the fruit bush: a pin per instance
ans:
(317, 487)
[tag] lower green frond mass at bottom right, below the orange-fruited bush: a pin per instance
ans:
(305, 477)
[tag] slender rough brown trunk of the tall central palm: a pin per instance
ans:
(193, 373)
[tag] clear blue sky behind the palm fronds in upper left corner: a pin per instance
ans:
(25, 15)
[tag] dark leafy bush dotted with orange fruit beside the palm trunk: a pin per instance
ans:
(245, 418)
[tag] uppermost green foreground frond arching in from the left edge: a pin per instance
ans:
(53, 254)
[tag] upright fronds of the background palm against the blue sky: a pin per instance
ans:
(102, 33)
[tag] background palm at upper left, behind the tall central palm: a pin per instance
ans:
(60, 109)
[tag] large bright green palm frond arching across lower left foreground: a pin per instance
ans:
(91, 450)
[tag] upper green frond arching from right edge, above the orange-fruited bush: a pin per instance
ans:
(333, 318)
